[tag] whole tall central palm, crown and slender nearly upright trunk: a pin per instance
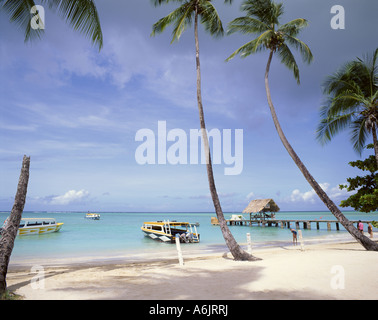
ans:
(181, 18)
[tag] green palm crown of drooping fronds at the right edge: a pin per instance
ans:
(352, 103)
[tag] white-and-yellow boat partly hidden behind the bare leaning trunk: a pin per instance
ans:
(30, 226)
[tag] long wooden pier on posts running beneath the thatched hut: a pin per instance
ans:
(306, 224)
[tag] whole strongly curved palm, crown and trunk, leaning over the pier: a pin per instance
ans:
(262, 17)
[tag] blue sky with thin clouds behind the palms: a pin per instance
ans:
(99, 125)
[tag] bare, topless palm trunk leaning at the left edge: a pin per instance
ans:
(10, 230)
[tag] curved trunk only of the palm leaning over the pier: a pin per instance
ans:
(363, 240)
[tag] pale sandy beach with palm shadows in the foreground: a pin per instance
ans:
(326, 271)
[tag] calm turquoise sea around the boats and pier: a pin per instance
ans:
(118, 234)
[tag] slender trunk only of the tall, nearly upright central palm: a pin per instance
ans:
(232, 245)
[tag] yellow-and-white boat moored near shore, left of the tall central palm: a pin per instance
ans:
(167, 231)
